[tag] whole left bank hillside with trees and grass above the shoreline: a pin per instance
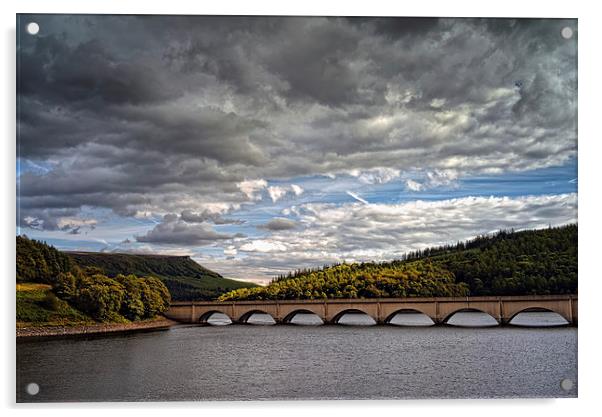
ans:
(52, 291)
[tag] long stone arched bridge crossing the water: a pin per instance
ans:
(382, 310)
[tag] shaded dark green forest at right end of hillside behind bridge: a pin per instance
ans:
(515, 263)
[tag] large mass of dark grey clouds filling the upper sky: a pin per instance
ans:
(168, 114)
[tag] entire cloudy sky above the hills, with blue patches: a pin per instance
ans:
(259, 145)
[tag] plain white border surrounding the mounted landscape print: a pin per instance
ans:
(590, 92)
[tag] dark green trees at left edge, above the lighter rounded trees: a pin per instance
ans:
(39, 262)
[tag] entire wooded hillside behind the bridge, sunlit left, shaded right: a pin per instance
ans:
(507, 263)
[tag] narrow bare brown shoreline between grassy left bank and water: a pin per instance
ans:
(55, 332)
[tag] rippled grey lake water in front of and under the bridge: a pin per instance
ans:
(352, 361)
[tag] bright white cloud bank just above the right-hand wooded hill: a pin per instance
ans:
(379, 232)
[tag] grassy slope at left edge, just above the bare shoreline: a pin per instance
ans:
(33, 311)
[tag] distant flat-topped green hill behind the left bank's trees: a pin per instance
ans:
(185, 279)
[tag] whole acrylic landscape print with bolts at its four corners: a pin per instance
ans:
(295, 207)
